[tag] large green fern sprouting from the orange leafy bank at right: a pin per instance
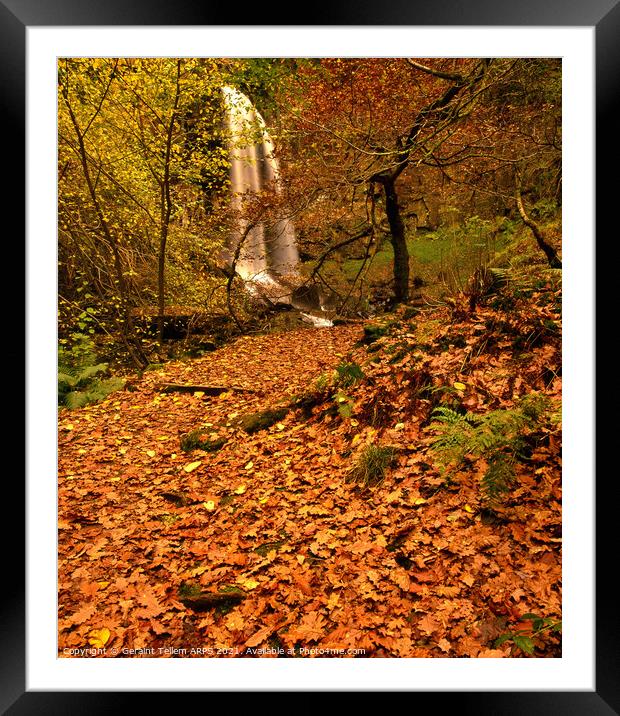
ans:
(498, 436)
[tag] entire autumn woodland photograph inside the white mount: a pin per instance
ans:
(309, 359)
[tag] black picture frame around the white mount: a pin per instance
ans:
(16, 16)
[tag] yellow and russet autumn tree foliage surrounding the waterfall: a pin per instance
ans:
(371, 150)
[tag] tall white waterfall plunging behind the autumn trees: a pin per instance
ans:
(269, 255)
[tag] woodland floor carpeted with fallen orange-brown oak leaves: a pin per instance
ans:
(266, 548)
